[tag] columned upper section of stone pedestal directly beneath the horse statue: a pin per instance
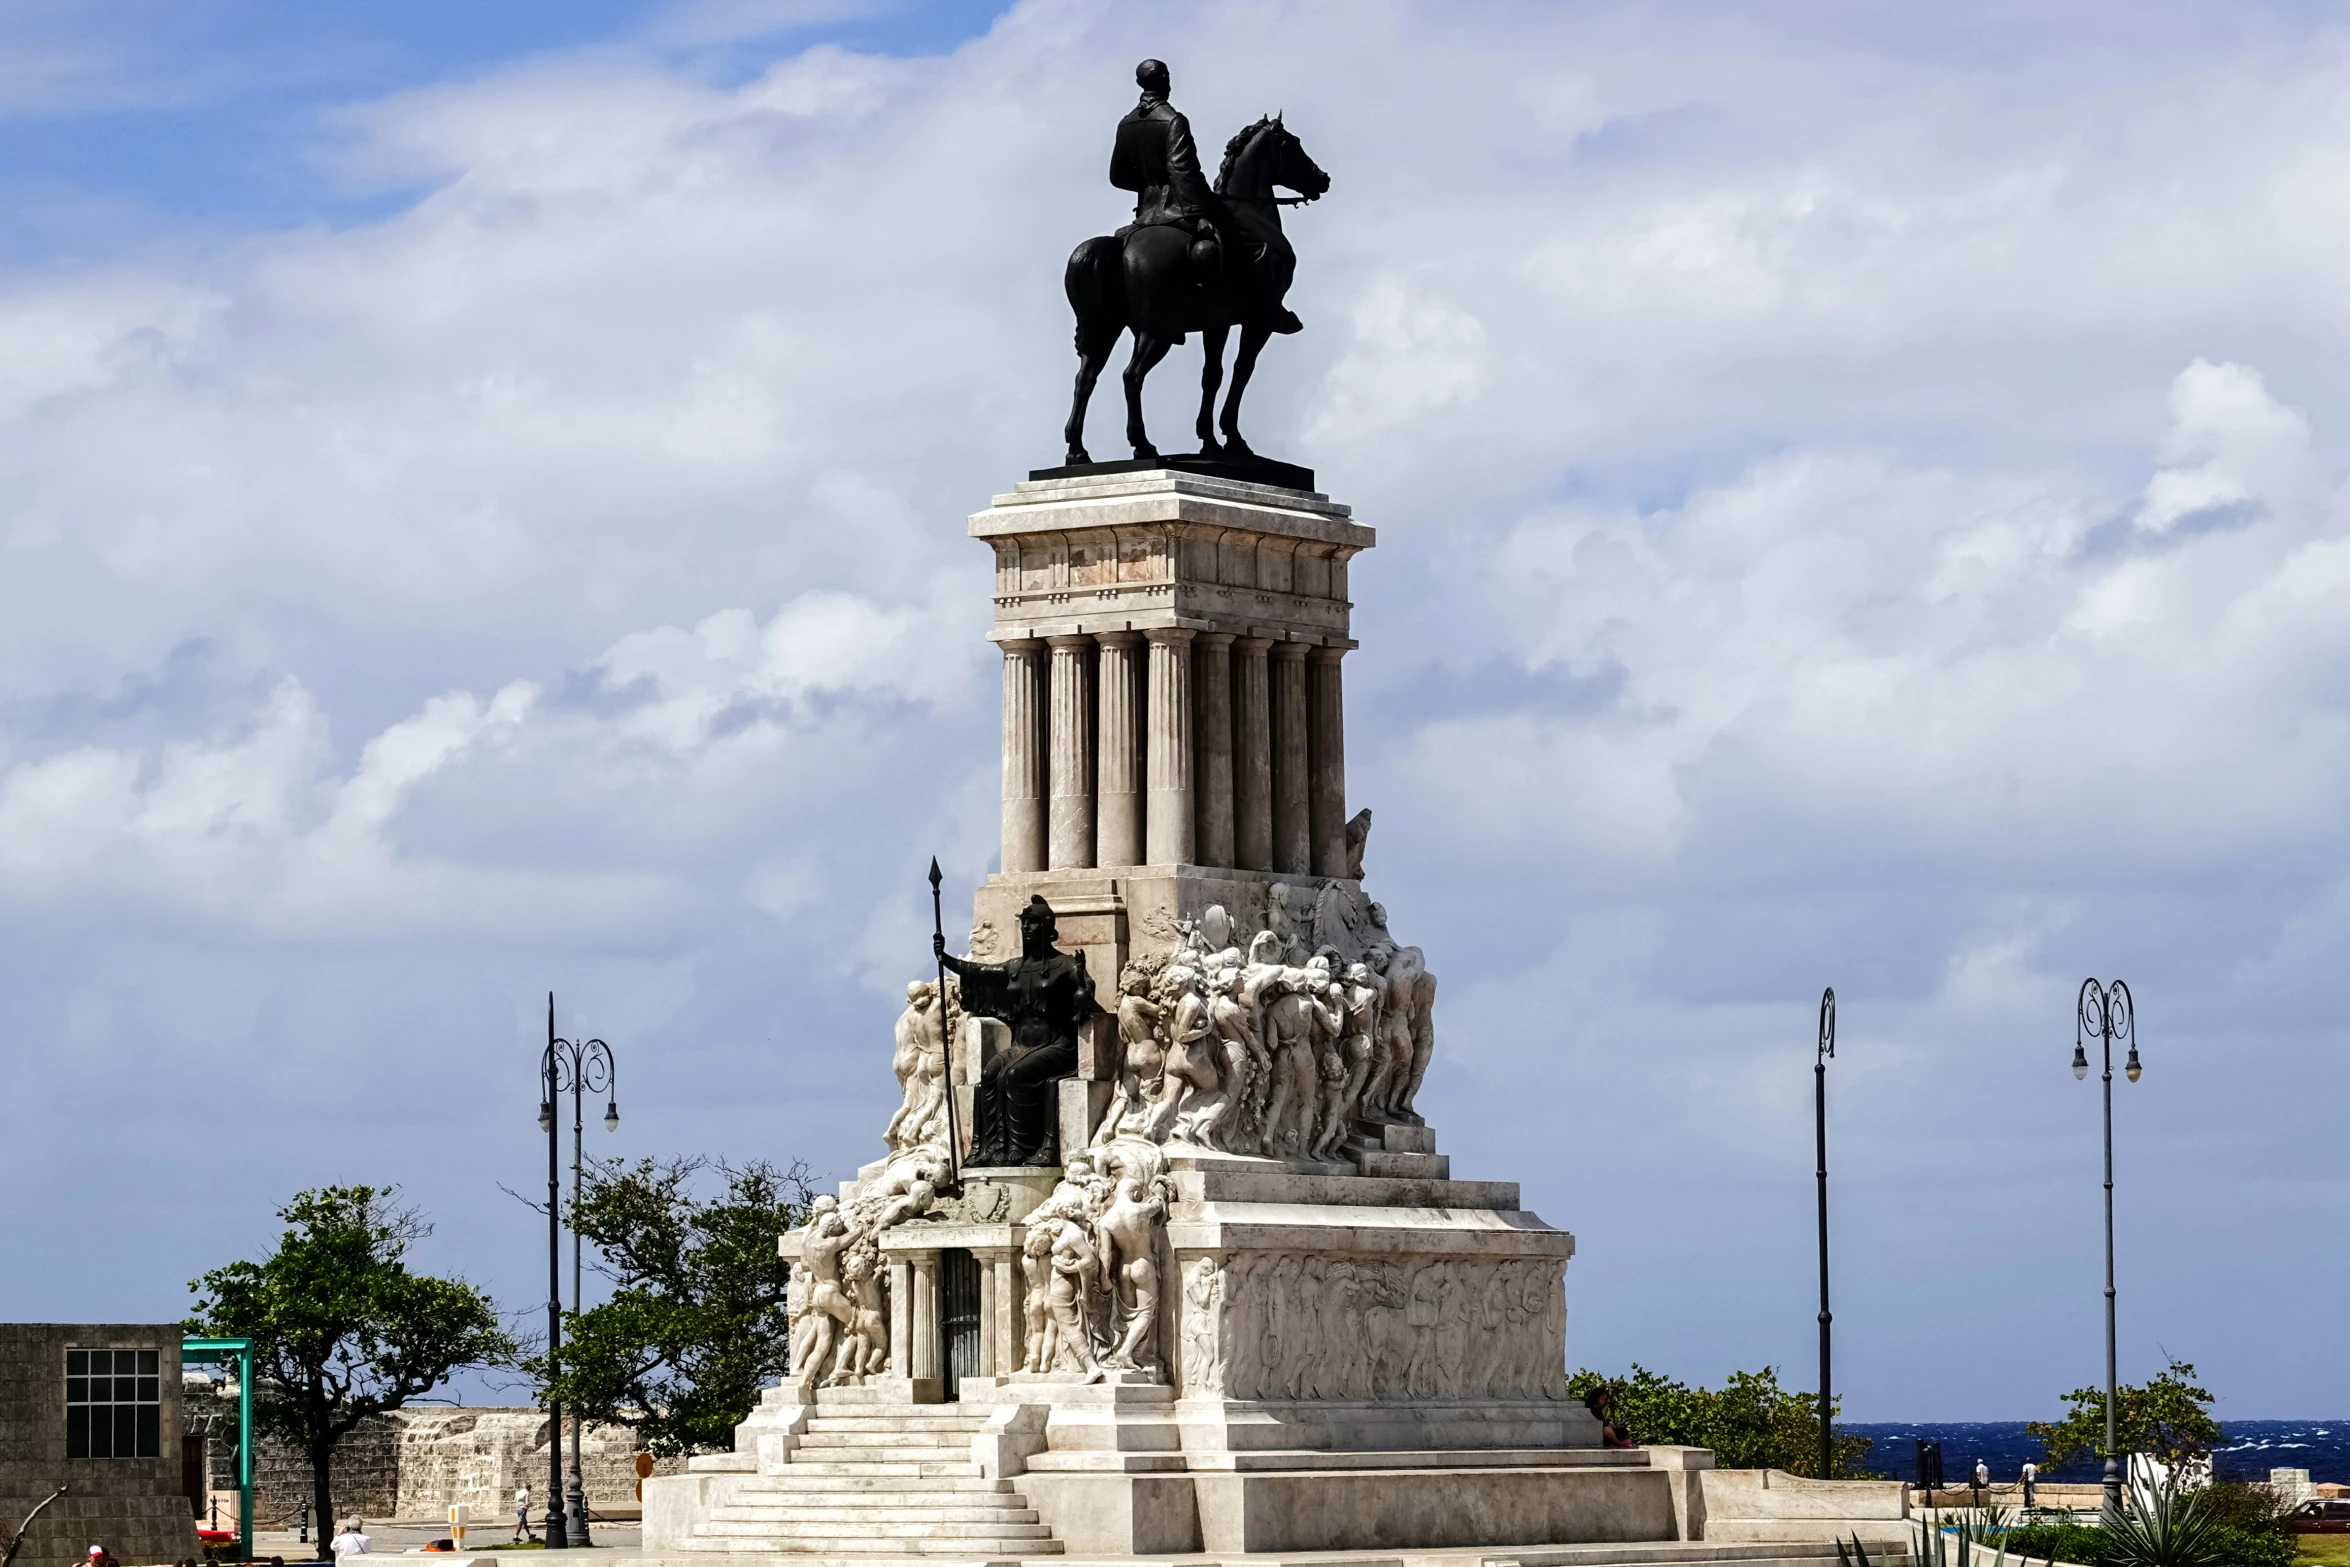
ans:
(1190, 708)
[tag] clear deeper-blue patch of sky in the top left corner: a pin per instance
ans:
(156, 123)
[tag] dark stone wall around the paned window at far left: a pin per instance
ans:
(133, 1507)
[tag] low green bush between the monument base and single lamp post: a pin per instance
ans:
(1752, 1423)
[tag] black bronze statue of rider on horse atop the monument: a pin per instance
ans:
(1195, 260)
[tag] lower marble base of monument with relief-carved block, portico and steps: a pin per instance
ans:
(1357, 1354)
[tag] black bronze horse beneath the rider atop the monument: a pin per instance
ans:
(1157, 285)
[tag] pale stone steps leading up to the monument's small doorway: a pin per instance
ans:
(892, 1484)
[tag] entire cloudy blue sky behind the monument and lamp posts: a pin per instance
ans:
(1860, 502)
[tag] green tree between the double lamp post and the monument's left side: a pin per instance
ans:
(697, 1321)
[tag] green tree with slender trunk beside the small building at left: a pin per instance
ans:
(340, 1324)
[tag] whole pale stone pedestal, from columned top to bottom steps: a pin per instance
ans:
(1254, 1312)
